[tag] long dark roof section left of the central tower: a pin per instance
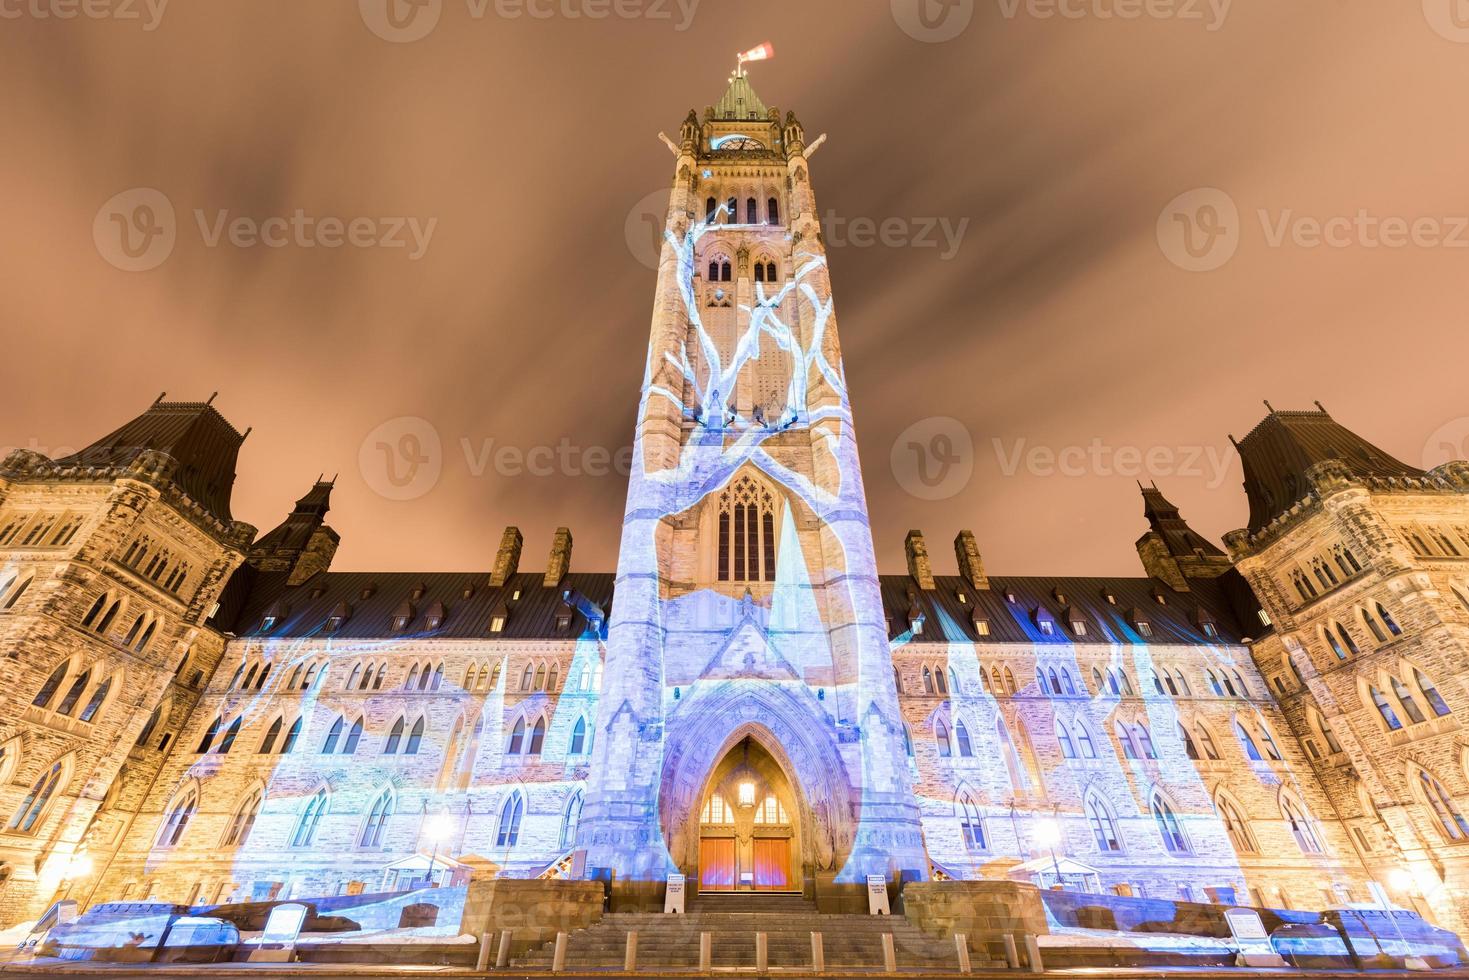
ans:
(374, 600)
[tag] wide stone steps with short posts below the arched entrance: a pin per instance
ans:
(672, 943)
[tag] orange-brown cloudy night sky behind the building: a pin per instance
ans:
(1032, 286)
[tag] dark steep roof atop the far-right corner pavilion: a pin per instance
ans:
(1279, 452)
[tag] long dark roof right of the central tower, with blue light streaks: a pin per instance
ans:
(1014, 609)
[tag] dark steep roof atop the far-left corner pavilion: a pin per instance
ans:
(203, 444)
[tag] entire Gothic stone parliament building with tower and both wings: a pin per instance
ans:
(199, 713)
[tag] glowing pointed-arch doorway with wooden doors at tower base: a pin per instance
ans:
(748, 841)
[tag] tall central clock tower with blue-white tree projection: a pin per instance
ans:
(748, 613)
